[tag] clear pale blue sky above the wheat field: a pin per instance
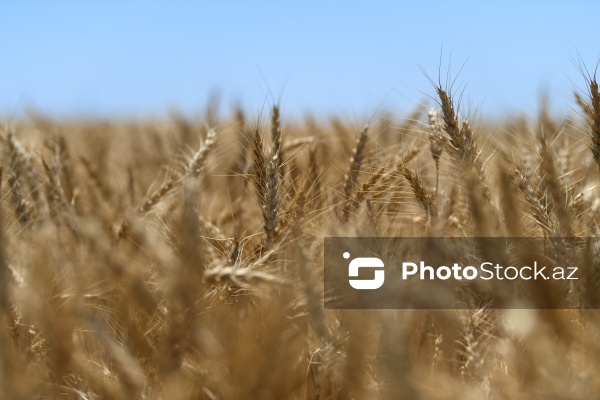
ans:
(346, 57)
